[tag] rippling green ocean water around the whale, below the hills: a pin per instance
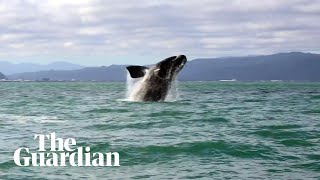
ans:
(214, 130)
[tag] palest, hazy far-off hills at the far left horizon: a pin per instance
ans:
(10, 68)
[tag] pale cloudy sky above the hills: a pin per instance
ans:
(105, 32)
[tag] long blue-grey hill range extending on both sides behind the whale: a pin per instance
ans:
(284, 66)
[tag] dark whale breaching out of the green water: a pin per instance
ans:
(156, 81)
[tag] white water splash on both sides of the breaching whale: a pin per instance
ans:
(134, 85)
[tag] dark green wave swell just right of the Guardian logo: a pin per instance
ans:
(154, 153)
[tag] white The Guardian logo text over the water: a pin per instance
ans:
(62, 154)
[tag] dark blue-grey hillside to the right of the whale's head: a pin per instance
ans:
(293, 66)
